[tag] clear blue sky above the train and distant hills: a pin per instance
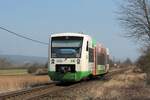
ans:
(38, 19)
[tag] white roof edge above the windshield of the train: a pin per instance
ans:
(69, 34)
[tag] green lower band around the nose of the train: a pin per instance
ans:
(77, 76)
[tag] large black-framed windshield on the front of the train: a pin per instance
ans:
(66, 47)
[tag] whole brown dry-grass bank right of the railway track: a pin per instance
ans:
(130, 85)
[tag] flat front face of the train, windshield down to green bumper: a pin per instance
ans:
(64, 58)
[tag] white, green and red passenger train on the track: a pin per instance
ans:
(76, 56)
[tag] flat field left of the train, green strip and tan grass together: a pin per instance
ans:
(16, 79)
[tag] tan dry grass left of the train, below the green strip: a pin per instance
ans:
(17, 82)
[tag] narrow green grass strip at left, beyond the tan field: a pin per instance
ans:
(13, 71)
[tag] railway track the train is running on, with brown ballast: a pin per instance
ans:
(37, 93)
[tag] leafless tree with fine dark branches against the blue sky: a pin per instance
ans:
(134, 15)
